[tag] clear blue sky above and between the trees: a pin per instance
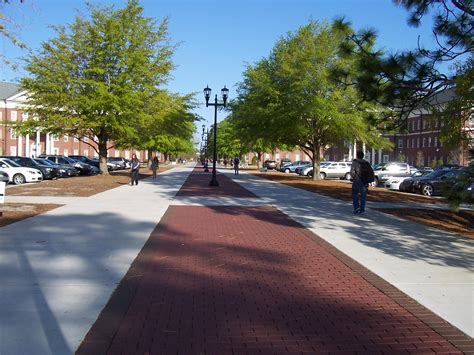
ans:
(217, 38)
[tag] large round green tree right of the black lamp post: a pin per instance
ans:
(291, 98)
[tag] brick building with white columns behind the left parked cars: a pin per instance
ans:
(11, 100)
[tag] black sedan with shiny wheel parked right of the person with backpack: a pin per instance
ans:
(431, 184)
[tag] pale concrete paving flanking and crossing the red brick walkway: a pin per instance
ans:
(58, 270)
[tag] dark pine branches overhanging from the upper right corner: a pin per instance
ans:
(408, 80)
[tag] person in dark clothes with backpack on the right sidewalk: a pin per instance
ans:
(362, 175)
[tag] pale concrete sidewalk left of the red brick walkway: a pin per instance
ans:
(58, 269)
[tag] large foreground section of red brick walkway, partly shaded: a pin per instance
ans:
(249, 280)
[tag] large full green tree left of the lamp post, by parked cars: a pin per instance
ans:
(95, 79)
